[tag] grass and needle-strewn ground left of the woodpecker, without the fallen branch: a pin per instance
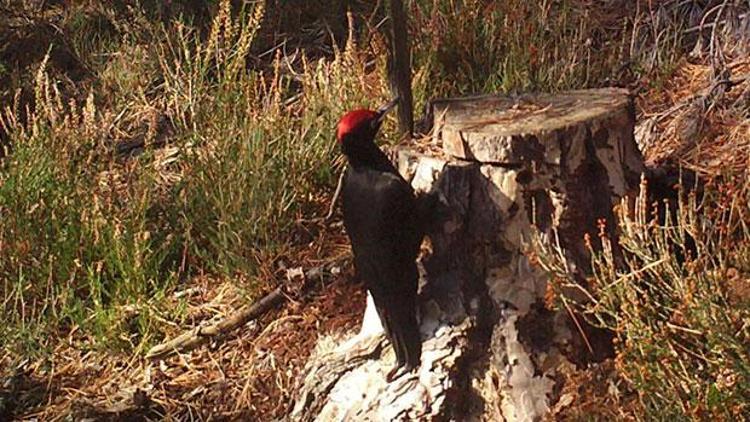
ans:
(192, 172)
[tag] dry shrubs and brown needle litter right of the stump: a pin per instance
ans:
(673, 287)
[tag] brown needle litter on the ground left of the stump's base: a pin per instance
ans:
(248, 375)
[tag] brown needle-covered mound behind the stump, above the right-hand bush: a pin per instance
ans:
(706, 136)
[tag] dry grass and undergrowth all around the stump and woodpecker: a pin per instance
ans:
(164, 162)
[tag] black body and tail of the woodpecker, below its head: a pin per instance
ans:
(380, 216)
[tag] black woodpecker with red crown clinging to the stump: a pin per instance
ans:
(381, 216)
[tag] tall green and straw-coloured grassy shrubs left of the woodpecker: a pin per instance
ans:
(92, 239)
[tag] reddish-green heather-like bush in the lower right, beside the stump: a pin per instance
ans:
(674, 291)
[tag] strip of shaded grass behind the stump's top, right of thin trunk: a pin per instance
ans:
(482, 46)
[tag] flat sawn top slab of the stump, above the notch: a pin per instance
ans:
(499, 129)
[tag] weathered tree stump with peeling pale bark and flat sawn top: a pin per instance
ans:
(506, 168)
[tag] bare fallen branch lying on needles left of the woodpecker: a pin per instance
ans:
(199, 335)
